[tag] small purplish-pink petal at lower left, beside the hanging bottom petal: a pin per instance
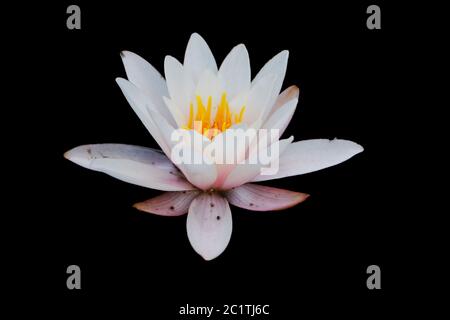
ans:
(169, 203)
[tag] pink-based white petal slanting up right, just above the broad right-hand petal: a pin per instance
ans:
(246, 172)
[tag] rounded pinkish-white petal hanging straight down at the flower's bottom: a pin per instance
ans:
(209, 225)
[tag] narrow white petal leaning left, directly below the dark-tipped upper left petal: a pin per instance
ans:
(142, 107)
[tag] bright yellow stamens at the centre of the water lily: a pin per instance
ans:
(203, 121)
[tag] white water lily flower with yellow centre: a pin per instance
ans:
(219, 99)
